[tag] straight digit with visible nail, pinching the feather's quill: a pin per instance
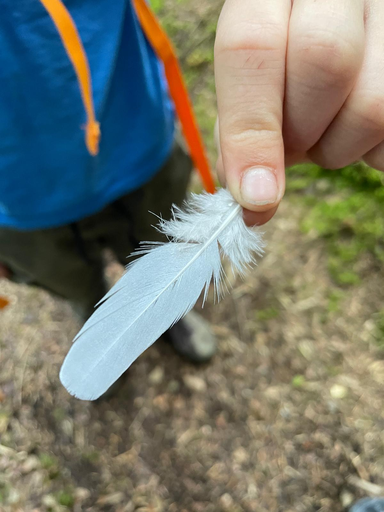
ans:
(250, 54)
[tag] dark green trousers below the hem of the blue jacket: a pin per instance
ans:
(68, 260)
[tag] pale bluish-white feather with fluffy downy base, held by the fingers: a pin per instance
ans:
(158, 289)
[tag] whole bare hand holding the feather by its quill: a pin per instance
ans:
(296, 80)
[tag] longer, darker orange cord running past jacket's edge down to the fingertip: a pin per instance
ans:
(163, 47)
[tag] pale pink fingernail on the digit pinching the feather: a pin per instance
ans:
(259, 186)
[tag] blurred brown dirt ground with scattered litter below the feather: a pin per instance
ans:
(288, 417)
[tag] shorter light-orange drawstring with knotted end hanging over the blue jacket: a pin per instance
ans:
(73, 46)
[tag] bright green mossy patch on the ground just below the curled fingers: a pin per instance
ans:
(346, 210)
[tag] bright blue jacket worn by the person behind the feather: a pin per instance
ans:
(47, 177)
